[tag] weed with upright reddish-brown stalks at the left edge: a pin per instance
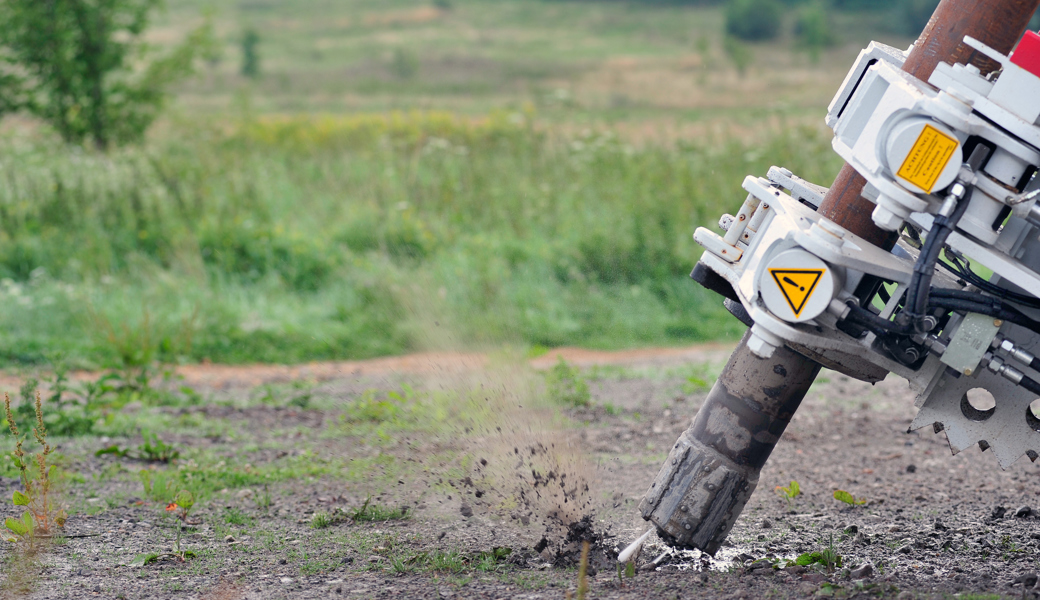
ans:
(42, 512)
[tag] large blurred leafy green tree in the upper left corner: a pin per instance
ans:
(83, 66)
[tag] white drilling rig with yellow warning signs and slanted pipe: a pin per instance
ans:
(923, 259)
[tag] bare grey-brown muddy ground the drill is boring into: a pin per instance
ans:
(514, 478)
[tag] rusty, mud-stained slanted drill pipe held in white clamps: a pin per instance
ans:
(714, 467)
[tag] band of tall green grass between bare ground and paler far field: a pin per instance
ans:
(288, 241)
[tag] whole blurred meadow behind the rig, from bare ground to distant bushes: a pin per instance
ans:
(405, 177)
